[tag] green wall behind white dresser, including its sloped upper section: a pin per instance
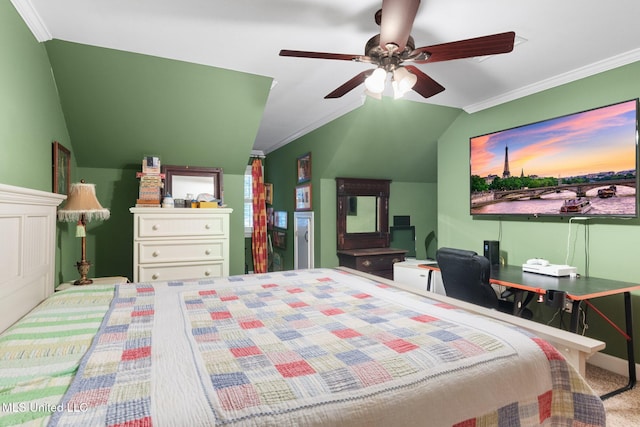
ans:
(121, 106)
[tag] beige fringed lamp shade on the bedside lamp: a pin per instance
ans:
(81, 202)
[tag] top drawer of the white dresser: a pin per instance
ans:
(149, 226)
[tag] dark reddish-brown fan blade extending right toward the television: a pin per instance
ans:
(479, 46)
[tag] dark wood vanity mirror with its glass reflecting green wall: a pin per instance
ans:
(363, 213)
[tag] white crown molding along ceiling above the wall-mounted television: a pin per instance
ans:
(571, 76)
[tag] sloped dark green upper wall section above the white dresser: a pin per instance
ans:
(121, 106)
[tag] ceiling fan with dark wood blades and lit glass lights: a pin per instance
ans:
(394, 46)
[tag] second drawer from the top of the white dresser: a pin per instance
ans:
(175, 251)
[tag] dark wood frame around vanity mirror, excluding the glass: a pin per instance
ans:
(350, 187)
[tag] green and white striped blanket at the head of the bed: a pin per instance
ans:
(40, 355)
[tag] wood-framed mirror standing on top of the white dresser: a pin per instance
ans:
(183, 180)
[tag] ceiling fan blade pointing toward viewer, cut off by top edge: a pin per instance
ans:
(397, 20)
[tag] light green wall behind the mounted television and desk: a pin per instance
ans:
(612, 244)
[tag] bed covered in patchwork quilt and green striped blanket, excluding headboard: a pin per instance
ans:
(320, 347)
